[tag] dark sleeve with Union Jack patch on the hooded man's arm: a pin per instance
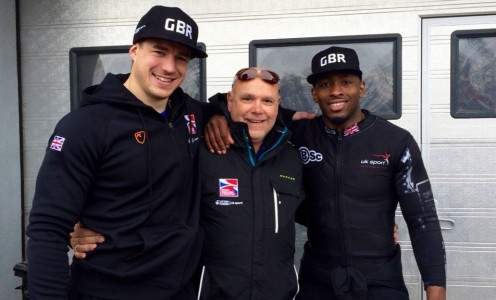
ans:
(63, 180)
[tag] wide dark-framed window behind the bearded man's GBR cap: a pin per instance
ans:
(380, 62)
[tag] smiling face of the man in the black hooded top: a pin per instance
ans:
(159, 67)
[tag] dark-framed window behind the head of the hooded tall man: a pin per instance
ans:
(89, 65)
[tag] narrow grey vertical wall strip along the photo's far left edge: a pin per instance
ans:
(10, 162)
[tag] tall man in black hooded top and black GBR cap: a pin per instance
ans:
(123, 165)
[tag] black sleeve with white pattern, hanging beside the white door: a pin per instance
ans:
(418, 208)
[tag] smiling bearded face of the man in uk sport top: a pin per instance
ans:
(338, 96)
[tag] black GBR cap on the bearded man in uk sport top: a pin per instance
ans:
(334, 59)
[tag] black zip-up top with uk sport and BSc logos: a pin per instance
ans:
(354, 181)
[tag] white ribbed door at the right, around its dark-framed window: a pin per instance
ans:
(460, 156)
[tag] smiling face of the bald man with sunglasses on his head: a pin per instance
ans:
(256, 103)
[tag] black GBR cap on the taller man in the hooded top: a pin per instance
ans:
(171, 24)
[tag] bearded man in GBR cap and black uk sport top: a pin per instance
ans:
(357, 168)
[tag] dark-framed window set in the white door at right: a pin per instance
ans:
(473, 73)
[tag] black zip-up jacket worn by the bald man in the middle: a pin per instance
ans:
(247, 213)
